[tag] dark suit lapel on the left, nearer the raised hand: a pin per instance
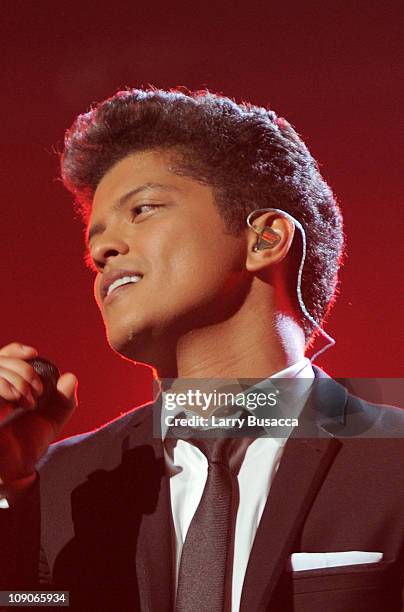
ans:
(154, 549)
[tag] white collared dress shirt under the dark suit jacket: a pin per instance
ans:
(187, 468)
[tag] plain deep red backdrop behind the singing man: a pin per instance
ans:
(334, 69)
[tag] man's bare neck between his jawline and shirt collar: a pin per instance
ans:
(256, 340)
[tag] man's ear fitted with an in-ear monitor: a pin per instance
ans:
(270, 242)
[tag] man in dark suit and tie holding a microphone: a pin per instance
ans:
(166, 182)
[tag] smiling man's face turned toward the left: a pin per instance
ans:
(163, 236)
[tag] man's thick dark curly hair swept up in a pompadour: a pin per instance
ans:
(251, 158)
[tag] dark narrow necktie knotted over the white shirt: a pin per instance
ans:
(202, 571)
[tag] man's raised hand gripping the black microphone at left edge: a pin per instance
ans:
(25, 438)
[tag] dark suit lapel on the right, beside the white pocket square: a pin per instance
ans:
(304, 465)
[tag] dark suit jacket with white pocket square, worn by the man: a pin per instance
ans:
(103, 503)
